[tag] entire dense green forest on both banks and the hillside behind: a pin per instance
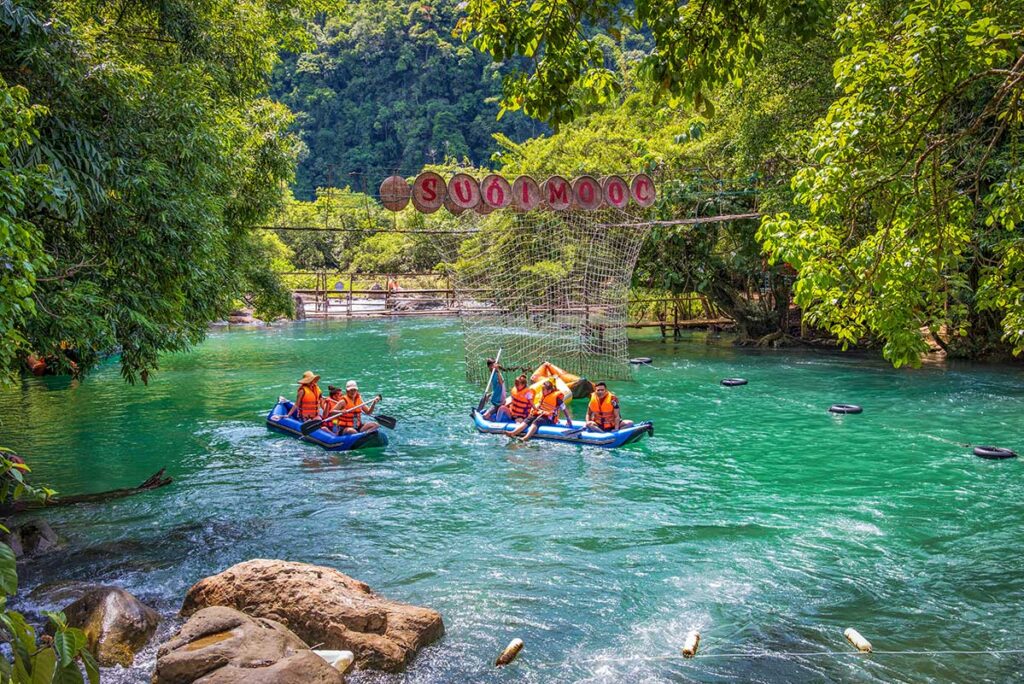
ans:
(141, 144)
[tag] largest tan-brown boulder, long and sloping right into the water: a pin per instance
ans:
(323, 607)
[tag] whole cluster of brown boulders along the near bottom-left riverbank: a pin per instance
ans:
(260, 621)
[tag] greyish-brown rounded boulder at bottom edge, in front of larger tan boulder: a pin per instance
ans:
(221, 646)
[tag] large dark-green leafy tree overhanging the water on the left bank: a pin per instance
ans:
(149, 152)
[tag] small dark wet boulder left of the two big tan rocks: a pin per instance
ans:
(116, 624)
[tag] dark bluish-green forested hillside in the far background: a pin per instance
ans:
(388, 89)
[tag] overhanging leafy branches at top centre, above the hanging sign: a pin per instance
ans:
(696, 47)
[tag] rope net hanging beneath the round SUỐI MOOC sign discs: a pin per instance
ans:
(546, 286)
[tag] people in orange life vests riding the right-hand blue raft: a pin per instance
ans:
(532, 409)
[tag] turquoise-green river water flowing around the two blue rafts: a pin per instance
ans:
(753, 516)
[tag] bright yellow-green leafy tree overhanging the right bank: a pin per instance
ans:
(911, 193)
